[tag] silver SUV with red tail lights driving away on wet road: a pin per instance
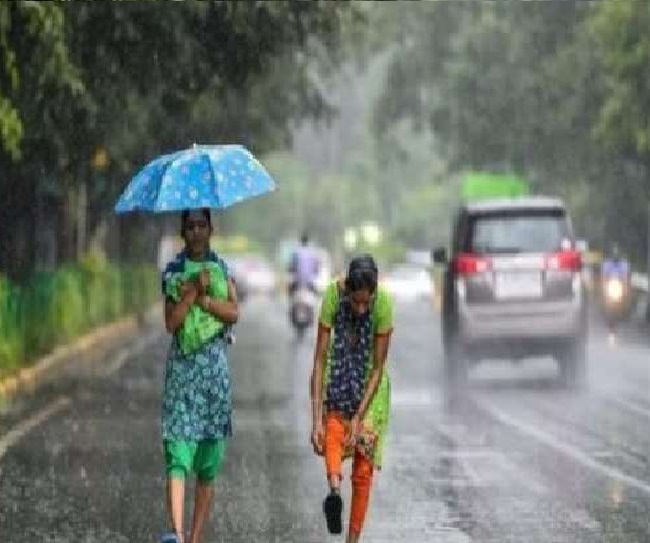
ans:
(513, 287)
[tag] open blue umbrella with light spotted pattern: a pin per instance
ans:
(213, 176)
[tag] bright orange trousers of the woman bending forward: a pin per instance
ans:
(336, 428)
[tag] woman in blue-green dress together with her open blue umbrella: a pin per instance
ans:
(200, 308)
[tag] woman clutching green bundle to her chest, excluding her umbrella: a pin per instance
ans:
(200, 308)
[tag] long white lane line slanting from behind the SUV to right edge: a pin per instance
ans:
(567, 450)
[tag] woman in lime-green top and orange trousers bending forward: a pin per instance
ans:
(350, 389)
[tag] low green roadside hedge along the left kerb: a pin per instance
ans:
(53, 308)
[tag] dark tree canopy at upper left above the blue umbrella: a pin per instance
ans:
(136, 79)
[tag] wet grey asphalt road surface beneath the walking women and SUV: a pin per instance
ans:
(517, 458)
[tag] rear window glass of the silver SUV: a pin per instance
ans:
(518, 233)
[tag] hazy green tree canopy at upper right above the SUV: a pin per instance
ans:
(556, 91)
